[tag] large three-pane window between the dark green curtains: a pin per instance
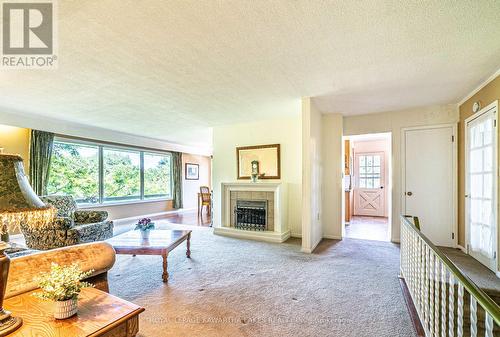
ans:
(97, 174)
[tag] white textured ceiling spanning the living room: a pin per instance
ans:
(172, 69)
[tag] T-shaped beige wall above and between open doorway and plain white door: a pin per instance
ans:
(393, 122)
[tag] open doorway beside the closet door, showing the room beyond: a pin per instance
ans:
(367, 186)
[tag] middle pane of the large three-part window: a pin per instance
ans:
(121, 175)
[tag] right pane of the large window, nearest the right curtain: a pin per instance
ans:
(156, 175)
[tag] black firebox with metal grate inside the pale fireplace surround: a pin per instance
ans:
(251, 215)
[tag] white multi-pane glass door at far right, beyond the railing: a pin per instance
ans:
(481, 191)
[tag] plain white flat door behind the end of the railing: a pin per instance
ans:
(429, 173)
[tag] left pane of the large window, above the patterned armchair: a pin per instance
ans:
(74, 171)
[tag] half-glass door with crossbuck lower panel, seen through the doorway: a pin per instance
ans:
(369, 193)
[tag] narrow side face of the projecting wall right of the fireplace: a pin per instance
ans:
(312, 167)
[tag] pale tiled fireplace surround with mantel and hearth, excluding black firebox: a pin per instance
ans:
(276, 197)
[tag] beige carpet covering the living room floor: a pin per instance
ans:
(235, 287)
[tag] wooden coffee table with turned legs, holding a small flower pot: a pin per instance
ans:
(160, 242)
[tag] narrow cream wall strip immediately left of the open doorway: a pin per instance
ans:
(333, 191)
